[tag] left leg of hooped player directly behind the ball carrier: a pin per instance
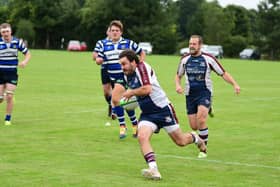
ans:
(117, 93)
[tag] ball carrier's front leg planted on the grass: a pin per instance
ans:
(145, 131)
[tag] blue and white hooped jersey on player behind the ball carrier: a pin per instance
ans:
(110, 52)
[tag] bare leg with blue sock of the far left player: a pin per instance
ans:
(9, 90)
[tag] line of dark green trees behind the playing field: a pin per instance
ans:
(167, 24)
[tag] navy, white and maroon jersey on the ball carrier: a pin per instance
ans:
(144, 75)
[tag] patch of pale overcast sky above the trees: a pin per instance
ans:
(249, 4)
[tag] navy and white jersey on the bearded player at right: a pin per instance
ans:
(197, 72)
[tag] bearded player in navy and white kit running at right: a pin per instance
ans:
(197, 66)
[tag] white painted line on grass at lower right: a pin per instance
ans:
(221, 162)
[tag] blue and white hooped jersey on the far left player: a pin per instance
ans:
(9, 53)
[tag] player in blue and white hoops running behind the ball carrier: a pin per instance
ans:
(109, 54)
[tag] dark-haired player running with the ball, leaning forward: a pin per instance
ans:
(157, 111)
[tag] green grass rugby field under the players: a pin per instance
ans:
(59, 137)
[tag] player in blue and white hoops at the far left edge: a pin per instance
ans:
(9, 47)
